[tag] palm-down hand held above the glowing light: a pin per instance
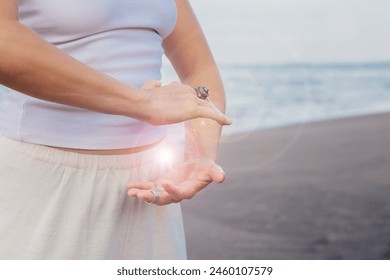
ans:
(175, 102)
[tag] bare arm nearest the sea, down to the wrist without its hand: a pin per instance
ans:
(191, 57)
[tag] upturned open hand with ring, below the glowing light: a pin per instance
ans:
(184, 182)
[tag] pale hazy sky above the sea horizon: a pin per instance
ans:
(277, 31)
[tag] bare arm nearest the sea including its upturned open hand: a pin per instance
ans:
(190, 55)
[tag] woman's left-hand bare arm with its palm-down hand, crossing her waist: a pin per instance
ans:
(31, 65)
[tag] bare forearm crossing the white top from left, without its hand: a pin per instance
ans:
(33, 66)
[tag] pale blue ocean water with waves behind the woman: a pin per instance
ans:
(266, 96)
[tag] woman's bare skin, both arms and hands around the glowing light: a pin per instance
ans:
(30, 65)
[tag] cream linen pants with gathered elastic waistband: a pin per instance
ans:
(63, 205)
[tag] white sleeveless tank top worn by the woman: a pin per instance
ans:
(121, 38)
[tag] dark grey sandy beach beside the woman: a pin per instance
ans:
(313, 191)
